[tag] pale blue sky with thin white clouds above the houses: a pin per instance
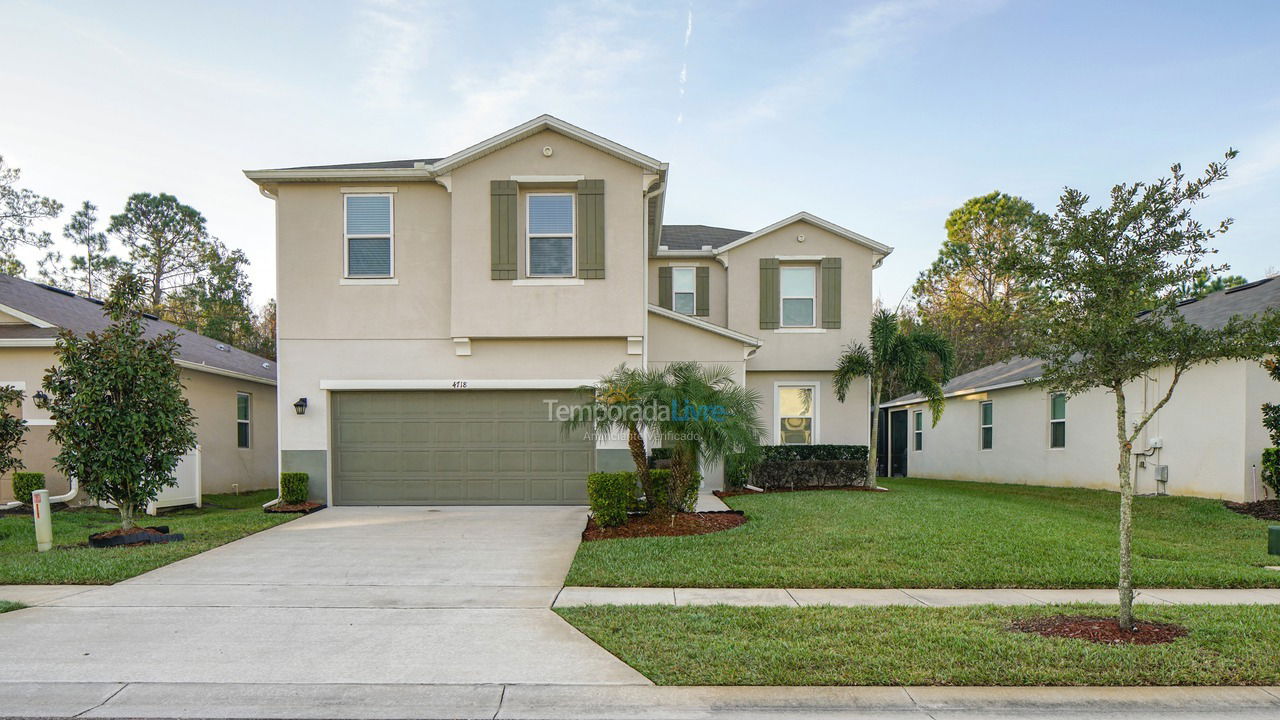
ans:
(879, 116)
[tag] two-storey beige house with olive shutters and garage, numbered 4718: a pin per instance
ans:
(435, 312)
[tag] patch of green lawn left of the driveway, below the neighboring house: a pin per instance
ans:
(223, 520)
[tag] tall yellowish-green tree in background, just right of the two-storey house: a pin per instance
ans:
(971, 294)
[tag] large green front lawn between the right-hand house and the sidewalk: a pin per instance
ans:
(945, 535)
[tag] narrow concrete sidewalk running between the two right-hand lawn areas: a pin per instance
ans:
(860, 598)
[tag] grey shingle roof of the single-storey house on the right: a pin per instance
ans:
(1212, 312)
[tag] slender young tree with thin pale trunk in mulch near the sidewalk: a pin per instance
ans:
(1109, 282)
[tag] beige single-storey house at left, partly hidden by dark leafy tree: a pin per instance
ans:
(231, 391)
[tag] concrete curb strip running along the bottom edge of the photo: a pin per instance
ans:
(632, 703)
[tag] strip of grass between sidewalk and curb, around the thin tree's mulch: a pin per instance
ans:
(927, 646)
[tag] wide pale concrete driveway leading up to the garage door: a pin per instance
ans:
(349, 595)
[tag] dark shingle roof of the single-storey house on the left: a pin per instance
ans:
(56, 309)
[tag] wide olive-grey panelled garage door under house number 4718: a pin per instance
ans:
(456, 448)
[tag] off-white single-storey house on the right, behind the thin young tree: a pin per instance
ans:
(1208, 441)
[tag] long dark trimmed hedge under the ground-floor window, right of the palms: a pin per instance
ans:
(798, 466)
